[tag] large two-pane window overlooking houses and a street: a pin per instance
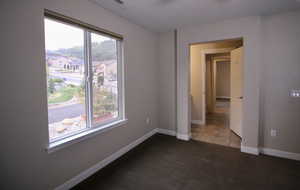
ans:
(84, 79)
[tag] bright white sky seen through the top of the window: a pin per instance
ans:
(61, 36)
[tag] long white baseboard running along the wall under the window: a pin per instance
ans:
(90, 171)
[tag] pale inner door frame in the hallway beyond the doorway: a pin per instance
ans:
(203, 60)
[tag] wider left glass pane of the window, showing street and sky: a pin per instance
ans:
(65, 77)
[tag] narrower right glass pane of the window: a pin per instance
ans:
(105, 80)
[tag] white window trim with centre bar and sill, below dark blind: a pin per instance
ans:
(91, 130)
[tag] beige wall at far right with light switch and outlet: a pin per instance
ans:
(280, 74)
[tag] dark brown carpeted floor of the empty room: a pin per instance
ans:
(165, 163)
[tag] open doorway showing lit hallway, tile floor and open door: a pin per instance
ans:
(216, 92)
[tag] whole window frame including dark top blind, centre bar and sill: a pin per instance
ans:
(91, 129)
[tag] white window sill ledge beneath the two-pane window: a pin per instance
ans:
(54, 146)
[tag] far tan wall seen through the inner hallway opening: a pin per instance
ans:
(223, 79)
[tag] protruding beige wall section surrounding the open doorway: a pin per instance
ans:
(250, 29)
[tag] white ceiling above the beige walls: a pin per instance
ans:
(163, 15)
